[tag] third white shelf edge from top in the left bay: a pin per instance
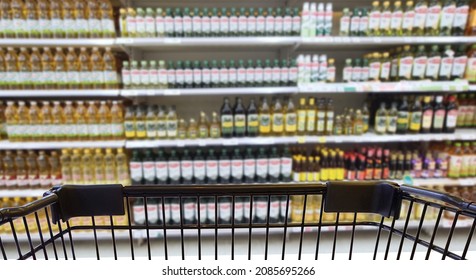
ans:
(6, 145)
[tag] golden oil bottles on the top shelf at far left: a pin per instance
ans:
(57, 19)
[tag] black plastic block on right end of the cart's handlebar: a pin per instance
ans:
(382, 198)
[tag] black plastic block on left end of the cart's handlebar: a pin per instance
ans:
(87, 201)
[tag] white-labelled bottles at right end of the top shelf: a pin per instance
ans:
(423, 18)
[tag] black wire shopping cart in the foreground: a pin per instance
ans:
(355, 219)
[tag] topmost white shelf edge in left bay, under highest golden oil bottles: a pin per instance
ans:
(83, 42)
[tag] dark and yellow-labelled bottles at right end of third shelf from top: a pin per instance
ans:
(421, 115)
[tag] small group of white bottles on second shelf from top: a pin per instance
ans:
(315, 68)
